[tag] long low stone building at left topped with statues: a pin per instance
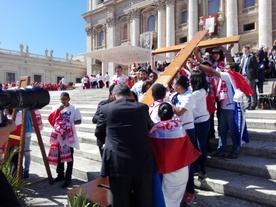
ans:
(41, 68)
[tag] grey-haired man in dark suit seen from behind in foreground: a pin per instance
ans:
(128, 159)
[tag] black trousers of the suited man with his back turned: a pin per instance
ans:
(134, 191)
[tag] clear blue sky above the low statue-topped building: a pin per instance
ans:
(41, 24)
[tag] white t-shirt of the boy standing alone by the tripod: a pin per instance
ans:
(73, 114)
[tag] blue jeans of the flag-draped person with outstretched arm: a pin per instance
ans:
(227, 123)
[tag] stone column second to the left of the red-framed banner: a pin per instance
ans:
(170, 25)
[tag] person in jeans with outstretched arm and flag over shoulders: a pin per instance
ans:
(232, 118)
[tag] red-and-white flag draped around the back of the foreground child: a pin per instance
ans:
(171, 145)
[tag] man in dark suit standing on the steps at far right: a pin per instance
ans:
(249, 69)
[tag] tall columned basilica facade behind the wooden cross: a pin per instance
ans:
(125, 22)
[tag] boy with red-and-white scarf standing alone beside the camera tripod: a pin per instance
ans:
(64, 116)
